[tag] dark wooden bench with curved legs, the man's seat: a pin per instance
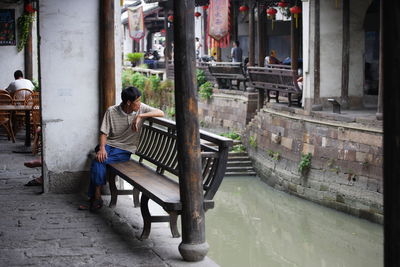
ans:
(153, 173)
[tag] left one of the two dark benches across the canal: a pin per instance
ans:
(225, 72)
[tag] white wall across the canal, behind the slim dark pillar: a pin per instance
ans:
(331, 48)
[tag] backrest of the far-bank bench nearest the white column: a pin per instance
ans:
(273, 78)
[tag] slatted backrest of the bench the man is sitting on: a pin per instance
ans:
(158, 145)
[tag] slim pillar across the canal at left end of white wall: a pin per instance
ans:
(317, 64)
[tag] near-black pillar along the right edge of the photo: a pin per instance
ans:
(391, 128)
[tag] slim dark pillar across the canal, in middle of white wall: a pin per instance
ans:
(345, 54)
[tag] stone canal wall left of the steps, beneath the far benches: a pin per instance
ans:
(228, 109)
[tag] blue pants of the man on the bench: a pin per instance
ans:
(98, 170)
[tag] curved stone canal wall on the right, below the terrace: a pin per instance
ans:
(346, 164)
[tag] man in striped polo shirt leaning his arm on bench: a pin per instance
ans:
(119, 136)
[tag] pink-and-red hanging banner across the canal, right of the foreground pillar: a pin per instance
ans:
(218, 22)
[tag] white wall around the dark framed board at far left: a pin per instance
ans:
(10, 59)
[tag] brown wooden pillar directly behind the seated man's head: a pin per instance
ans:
(107, 55)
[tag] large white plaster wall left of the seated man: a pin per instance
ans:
(70, 85)
